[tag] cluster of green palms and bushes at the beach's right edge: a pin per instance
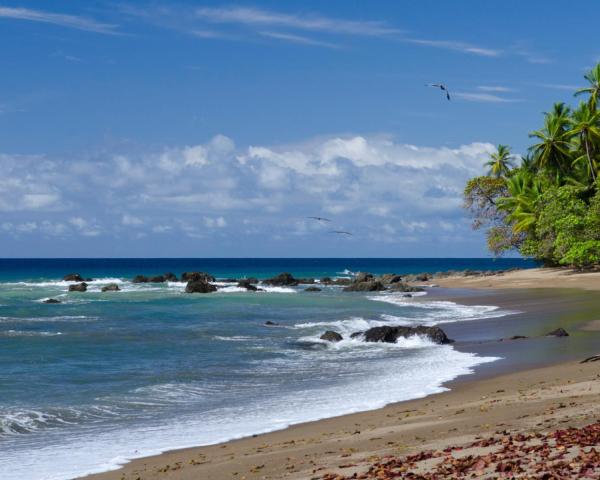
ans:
(546, 205)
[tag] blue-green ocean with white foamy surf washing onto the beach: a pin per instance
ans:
(101, 378)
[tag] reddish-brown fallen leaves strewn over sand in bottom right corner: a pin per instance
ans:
(562, 454)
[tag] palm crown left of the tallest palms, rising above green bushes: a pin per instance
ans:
(552, 149)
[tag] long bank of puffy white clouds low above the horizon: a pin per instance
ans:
(380, 189)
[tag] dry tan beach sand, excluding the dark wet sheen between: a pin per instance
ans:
(530, 402)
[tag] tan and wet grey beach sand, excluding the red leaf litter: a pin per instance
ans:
(538, 387)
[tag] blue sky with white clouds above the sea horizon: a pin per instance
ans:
(213, 129)
